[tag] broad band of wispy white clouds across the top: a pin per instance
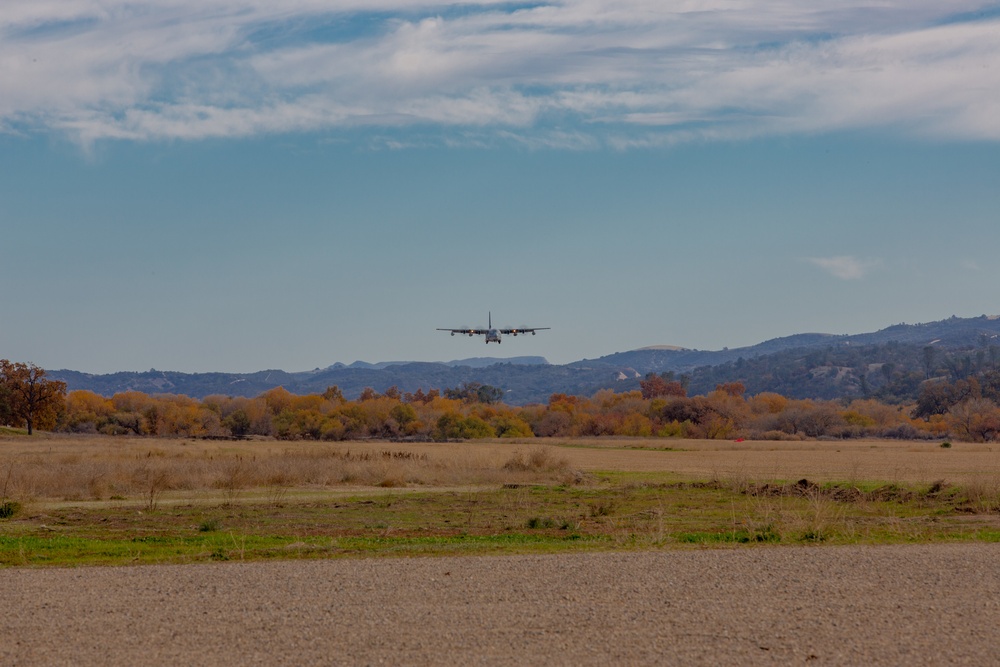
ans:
(588, 72)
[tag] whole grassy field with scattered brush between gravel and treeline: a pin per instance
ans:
(69, 500)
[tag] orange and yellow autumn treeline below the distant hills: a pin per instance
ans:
(659, 409)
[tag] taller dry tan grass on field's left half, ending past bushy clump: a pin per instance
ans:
(147, 470)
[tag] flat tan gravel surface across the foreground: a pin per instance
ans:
(913, 605)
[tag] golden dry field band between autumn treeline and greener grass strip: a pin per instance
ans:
(61, 467)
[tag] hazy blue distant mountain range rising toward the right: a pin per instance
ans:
(810, 365)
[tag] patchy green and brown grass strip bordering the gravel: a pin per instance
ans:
(624, 511)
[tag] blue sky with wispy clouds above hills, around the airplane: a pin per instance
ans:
(238, 185)
